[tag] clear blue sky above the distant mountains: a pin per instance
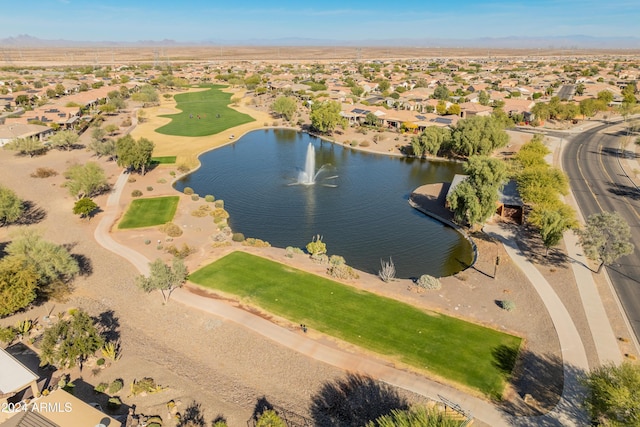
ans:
(197, 20)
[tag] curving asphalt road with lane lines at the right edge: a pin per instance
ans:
(592, 161)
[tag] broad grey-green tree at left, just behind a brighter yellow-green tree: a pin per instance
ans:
(51, 262)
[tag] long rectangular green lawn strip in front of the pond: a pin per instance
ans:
(473, 355)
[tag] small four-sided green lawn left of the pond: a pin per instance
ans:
(150, 212)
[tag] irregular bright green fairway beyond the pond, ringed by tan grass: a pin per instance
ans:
(203, 113)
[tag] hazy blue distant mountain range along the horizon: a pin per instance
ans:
(564, 42)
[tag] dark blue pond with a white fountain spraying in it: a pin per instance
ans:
(358, 202)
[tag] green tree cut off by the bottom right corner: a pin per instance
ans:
(613, 398)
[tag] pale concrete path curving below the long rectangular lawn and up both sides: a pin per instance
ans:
(567, 413)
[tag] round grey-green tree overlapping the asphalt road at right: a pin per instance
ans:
(606, 238)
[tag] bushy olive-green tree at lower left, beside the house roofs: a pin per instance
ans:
(70, 341)
